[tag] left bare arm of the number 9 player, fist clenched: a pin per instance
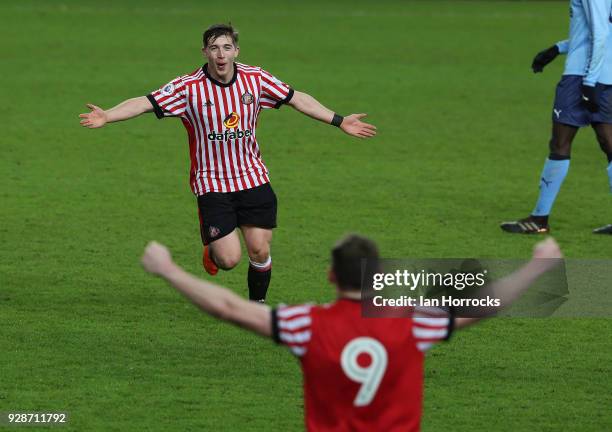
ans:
(212, 299)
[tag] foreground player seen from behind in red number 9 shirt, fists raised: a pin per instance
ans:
(360, 374)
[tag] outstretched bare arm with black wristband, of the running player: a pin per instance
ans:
(351, 125)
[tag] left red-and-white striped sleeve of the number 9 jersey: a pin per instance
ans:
(291, 326)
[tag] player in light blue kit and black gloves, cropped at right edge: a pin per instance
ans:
(583, 97)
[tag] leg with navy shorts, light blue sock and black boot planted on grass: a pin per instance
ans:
(568, 116)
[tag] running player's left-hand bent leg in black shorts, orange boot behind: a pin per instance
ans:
(218, 224)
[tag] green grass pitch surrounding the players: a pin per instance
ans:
(463, 126)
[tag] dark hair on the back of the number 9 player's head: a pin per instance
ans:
(354, 261)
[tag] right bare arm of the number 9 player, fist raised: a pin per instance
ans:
(546, 256)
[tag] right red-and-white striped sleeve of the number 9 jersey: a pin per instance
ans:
(431, 325)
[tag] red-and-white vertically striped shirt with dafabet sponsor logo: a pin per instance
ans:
(220, 120)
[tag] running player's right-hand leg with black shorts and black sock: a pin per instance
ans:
(256, 212)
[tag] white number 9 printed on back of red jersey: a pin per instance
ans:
(369, 376)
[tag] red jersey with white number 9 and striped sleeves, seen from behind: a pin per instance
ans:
(360, 374)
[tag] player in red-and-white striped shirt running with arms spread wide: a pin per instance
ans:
(219, 105)
